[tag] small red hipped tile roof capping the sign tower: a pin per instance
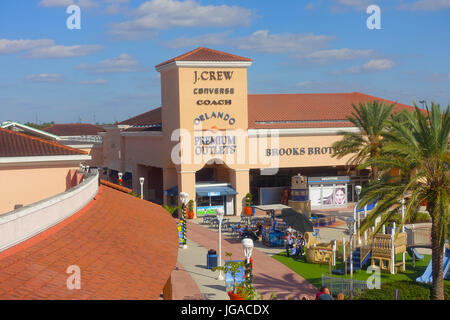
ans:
(205, 54)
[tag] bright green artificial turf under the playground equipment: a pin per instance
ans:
(313, 272)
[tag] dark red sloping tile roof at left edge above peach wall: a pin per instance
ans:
(16, 144)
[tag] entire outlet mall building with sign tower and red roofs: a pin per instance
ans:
(214, 141)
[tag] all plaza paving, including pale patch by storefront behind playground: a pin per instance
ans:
(192, 280)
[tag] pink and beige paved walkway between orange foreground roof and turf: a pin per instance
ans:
(269, 275)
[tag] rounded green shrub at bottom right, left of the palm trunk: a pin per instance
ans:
(409, 290)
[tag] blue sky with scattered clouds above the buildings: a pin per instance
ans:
(104, 72)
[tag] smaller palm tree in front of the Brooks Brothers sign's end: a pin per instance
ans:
(372, 120)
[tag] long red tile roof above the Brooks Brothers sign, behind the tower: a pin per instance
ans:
(303, 110)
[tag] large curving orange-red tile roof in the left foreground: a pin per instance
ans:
(125, 247)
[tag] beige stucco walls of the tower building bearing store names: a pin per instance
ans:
(181, 110)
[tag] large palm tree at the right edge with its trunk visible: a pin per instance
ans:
(418, 148)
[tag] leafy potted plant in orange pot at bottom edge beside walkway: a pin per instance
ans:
(239, 291)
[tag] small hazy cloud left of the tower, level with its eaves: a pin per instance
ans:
(121, 64)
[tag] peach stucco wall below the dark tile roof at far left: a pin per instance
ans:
(27, 184)
